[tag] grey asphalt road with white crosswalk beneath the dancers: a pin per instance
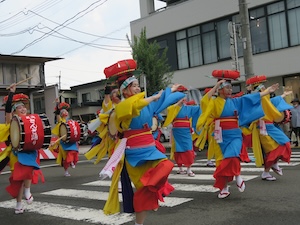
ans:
(79, 199)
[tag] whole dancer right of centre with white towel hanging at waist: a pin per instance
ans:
(226, 115)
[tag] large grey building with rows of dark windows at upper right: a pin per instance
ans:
(200, 38)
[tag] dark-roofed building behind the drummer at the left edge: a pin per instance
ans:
(30, 71)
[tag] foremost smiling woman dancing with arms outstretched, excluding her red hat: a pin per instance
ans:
(147, 167)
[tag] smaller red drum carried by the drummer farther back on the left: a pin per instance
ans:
(71, 131)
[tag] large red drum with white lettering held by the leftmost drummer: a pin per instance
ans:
(30, 132)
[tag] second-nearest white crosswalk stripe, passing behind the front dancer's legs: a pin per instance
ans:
(100, 195)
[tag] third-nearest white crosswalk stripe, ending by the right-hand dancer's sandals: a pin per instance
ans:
(178, 187)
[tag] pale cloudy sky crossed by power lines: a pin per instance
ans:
(88, 34)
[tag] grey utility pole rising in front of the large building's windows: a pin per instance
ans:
(246, 38)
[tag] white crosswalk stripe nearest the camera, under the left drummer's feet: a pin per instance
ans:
(91, 215)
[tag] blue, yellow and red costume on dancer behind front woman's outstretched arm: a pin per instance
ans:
(182, 118)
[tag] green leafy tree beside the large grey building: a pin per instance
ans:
(153, 64)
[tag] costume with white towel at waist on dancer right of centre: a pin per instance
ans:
(222, 119)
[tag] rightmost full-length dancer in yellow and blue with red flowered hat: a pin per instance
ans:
(269, 143)
